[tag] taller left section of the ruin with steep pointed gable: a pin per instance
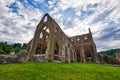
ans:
(51, 41)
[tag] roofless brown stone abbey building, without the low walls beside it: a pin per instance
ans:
(52, 44)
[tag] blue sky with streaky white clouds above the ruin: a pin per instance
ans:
(19, 18)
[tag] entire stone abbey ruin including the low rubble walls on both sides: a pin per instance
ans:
(50, 43)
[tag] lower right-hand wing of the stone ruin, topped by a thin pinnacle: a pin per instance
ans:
(85, 47)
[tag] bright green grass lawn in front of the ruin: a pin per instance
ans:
(59, 71)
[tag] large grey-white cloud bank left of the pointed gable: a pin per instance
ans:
(17, 28)
